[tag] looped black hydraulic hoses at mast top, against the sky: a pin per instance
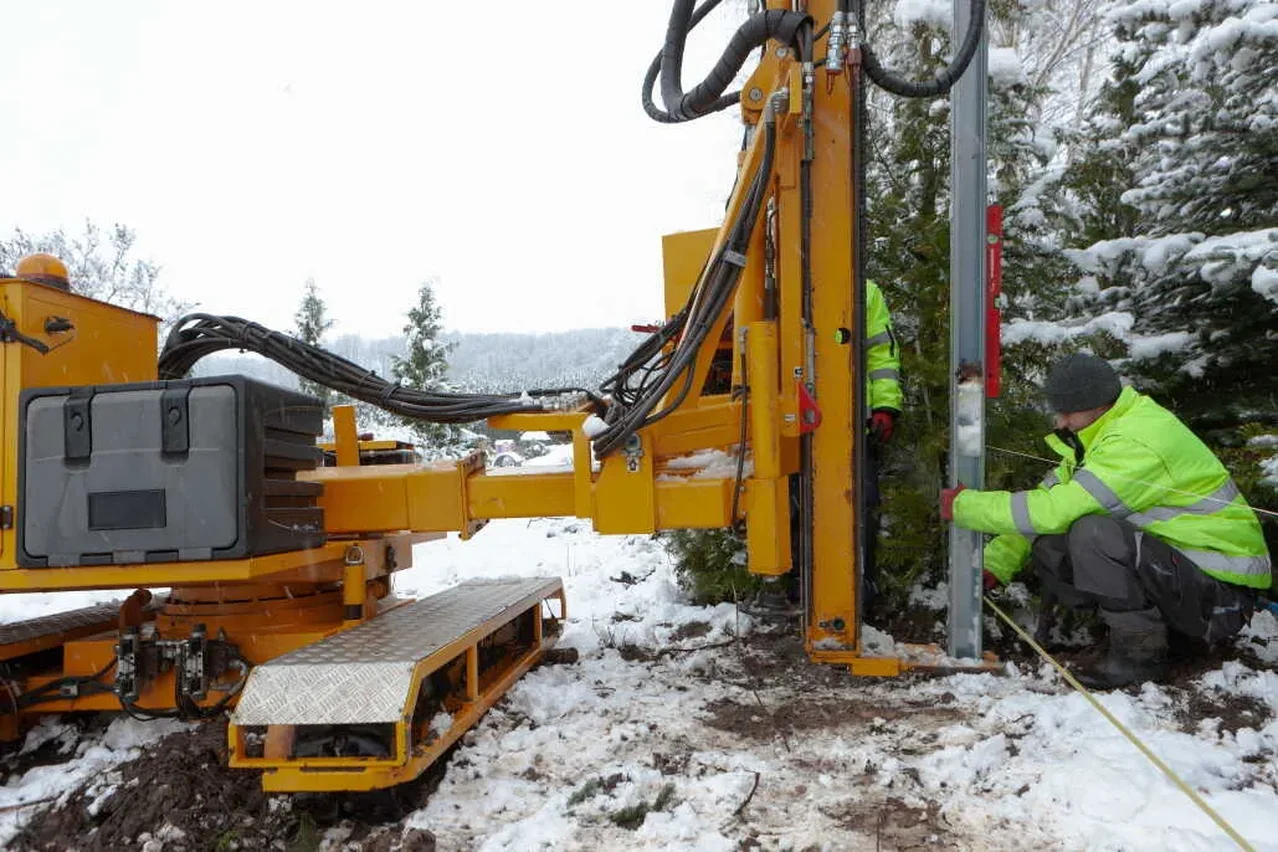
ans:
(709, 95)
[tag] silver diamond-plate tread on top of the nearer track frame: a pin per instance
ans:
(365, 675)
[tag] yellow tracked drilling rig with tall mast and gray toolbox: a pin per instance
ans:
(277, 551)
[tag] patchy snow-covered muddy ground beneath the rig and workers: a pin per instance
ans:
(649, 743)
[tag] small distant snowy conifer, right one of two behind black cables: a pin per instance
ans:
(426, 369)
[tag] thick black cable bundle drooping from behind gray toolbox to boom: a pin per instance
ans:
(199, 335)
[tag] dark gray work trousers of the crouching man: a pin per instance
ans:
(1110, 564)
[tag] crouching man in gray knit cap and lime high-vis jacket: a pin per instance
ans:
(1139, 519)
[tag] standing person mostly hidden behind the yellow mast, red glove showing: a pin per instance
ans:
(885, 400)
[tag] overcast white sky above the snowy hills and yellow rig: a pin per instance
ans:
(500, 146)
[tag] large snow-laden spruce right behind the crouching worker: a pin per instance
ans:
(1180, 231)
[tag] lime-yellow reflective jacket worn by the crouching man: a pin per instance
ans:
(1139, 464)
